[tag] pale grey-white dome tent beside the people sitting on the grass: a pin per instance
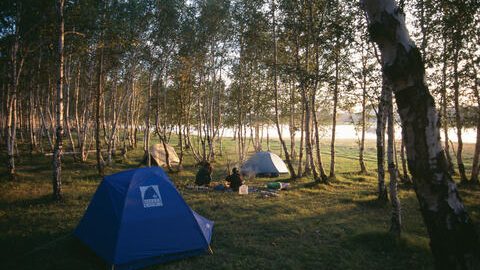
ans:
(264, 164)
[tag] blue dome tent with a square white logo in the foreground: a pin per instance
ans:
(137, 218)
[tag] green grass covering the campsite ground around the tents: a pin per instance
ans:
(336, 226)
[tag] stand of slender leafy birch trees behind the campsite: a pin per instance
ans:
(88, 77)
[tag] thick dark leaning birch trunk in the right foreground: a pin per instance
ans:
(453, 239)
